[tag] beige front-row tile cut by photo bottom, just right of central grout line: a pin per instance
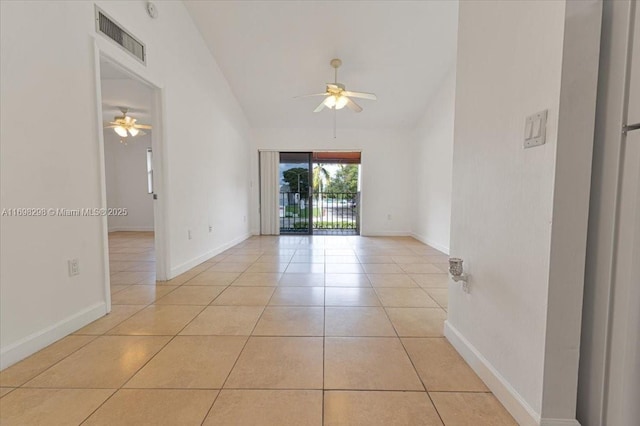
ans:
(379, 408)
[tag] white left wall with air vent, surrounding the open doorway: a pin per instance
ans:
(50, 157)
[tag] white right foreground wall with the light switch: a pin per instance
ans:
(519, 216)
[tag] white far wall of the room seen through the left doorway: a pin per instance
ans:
(126, 173)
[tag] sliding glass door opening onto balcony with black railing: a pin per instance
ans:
(319, 193)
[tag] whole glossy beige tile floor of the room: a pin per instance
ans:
(290, 330)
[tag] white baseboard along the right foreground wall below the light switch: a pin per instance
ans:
(506, 394)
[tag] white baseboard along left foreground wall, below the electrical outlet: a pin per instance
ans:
(43, 338)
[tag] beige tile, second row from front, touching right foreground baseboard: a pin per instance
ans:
(440, 367)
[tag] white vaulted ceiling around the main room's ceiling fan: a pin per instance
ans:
(272, 51)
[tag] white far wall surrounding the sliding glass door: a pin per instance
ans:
(387, 183)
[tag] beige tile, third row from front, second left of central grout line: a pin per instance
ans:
(224, 320)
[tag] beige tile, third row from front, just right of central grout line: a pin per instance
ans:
(357, 321)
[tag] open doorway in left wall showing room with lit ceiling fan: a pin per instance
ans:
(130, 148)
